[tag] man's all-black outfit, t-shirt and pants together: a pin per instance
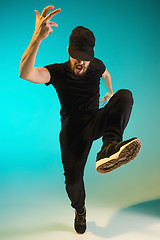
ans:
(83, 121)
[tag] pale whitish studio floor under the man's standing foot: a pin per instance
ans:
(116, 224)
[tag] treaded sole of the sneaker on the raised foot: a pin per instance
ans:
(126, 153)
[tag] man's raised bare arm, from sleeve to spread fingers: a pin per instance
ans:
(43, 28)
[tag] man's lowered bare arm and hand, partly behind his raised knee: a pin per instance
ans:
(108, 82)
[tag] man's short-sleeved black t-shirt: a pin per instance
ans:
(76, 93)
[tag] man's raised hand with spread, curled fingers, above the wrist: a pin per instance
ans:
(43, 24)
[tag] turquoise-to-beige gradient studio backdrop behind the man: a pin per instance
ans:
(31, 174)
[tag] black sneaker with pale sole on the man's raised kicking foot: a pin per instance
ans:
(117, 154)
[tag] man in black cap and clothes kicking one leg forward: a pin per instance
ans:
(77, 84)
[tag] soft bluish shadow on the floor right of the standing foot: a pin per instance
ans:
(136, 218)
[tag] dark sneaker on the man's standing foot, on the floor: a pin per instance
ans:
(80, 222)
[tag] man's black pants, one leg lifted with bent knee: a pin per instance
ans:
(78, 133)
